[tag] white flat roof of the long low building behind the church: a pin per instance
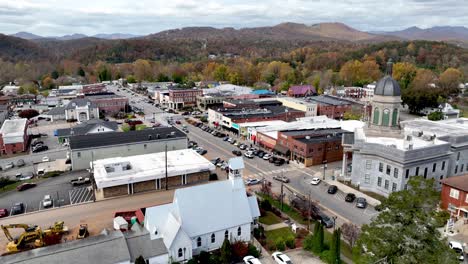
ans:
(124, 170)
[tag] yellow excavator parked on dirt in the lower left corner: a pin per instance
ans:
(33, 236)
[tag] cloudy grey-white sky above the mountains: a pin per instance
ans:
(60, 17)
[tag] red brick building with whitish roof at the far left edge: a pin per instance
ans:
(13, 136)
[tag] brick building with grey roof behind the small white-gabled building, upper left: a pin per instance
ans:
(108, 103)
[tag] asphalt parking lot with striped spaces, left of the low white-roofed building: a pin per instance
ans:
(59, 188)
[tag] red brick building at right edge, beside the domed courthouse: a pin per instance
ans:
(454, 195)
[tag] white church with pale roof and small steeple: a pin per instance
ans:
(201, 217)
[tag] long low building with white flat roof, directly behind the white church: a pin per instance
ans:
(135, 174)
